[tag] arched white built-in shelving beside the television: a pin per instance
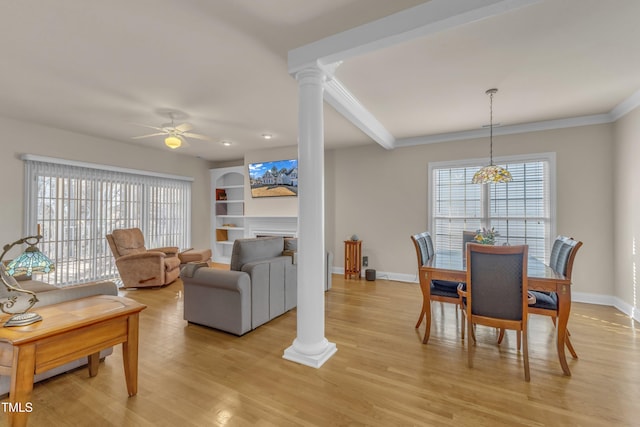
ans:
(228, 210)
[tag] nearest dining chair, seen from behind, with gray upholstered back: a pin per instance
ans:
(496, 293)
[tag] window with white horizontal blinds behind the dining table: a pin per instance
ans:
(521, 211)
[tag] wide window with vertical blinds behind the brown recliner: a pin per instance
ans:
(77, 204)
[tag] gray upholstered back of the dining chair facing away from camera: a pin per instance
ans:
(497, 281)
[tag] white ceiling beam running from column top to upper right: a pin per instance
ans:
(427, 18)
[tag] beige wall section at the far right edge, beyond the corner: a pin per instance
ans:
(627, 209)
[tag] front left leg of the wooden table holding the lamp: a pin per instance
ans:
(24, 361)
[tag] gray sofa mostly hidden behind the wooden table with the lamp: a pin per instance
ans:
(49, 294)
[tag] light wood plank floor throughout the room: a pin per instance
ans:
(381, 375)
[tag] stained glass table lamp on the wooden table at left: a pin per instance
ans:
(31, 261)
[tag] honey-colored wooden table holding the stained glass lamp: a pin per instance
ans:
(68, 331)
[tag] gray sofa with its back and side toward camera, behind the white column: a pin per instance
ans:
(260, 285)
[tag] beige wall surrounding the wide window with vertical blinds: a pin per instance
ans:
(23, 138)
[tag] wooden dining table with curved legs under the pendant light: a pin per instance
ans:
(451, 265)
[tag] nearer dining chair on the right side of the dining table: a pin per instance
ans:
(563, 254)
